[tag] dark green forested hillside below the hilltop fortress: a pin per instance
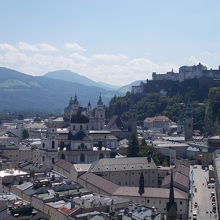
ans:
(194, 92)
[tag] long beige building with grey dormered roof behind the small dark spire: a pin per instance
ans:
(126, 171)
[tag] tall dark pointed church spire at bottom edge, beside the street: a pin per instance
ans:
(171, 205)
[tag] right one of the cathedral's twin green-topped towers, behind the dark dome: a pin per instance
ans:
(100, 114)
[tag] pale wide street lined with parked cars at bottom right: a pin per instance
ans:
(202, 196)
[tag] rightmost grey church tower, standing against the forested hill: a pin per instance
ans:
(188, 124)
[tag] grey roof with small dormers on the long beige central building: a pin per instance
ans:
(119, 164)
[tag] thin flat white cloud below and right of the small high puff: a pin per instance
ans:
(109, 57)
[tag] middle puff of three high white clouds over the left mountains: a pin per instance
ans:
(24, 46)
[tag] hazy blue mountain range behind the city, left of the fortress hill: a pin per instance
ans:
(51, 92)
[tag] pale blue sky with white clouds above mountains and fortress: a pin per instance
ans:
(116, 41)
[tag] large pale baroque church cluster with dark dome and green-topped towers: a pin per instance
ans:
(82, 139)
